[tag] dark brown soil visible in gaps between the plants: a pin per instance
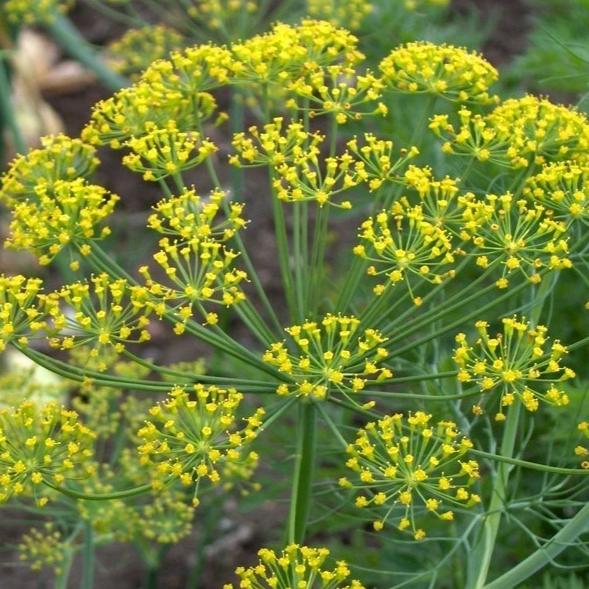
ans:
(238, 536)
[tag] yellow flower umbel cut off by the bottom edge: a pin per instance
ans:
(295, 567)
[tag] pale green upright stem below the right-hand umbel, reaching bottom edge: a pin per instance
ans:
(480, 560)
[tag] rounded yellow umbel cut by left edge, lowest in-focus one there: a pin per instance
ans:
(41, 446)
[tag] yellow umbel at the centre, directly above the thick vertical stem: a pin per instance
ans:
(333, 355)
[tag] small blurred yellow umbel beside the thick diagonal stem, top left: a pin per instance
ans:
(137, 49)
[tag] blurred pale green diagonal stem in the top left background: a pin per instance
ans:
(75, 45)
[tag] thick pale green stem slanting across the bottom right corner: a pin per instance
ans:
(576, 526)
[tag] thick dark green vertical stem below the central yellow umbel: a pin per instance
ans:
(303, 473)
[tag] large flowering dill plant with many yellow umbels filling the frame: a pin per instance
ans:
(405, 427)
